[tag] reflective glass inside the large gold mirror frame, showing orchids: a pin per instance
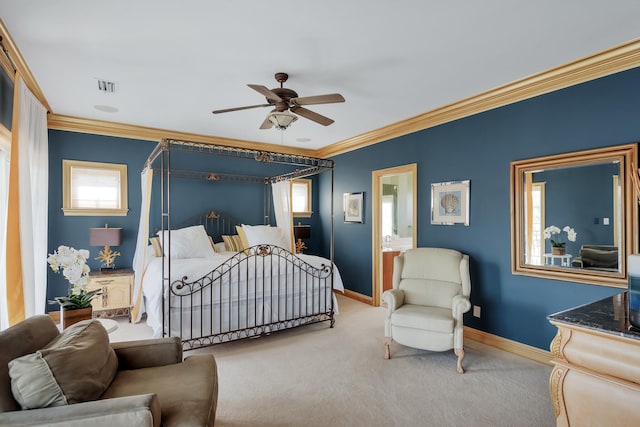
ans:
(572, 216)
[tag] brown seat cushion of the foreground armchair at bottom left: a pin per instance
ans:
(187, 391)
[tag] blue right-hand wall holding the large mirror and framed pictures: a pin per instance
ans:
(593, 114)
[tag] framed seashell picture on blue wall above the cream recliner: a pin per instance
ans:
(450, 203)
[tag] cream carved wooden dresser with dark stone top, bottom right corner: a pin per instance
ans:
(596, 376)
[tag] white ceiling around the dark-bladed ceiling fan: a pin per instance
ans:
(174, 61)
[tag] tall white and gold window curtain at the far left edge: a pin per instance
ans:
(26, 254)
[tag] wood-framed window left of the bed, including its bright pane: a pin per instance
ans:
(94, 189)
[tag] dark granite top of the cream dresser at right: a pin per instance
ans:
(608, 315)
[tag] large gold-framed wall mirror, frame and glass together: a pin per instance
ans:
(574, 216)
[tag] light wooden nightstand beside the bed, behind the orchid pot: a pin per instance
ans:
(117, 288)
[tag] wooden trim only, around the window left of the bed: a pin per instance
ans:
(67, 165)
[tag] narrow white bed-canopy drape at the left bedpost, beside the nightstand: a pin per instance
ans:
(146, 183)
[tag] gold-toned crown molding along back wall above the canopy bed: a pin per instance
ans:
(101, 127)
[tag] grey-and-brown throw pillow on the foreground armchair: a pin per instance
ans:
(77, 366)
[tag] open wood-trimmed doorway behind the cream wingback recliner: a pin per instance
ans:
(394, 206)
